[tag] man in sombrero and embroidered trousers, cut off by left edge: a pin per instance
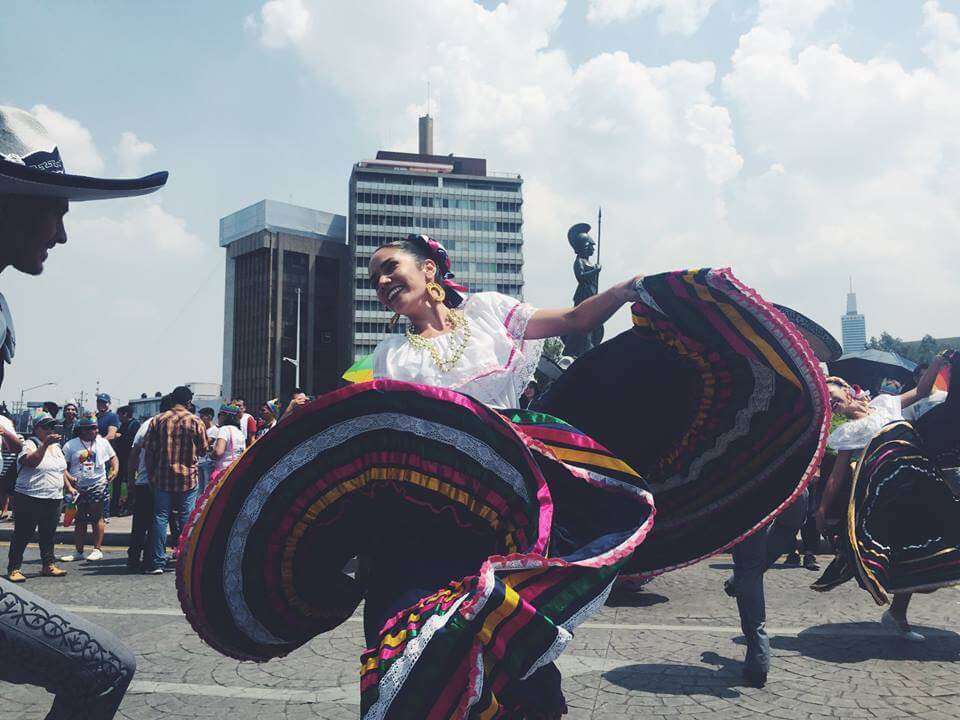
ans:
(85, 666)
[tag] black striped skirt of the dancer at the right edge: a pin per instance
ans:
(903, 519)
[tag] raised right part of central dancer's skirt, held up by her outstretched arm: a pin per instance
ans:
(715, 399)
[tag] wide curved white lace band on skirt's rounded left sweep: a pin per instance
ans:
(305, 452)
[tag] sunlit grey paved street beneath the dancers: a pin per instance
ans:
(670, 650)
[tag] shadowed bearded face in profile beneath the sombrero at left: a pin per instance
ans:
(29, 228)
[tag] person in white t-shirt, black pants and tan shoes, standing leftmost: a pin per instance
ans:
(41, 481)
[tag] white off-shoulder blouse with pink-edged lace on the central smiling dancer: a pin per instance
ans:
(496, 366)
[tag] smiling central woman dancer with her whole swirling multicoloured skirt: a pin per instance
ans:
(486, 537)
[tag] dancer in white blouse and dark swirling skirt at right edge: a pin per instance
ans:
(897, 503)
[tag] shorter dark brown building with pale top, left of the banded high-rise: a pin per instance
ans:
(287, 278)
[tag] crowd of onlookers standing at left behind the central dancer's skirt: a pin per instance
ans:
(85, 467)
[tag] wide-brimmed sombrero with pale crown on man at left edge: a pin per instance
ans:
(30, 164)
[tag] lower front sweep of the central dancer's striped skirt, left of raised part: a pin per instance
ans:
(486, 550)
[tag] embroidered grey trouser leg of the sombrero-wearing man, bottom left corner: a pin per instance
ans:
(85, 667)
